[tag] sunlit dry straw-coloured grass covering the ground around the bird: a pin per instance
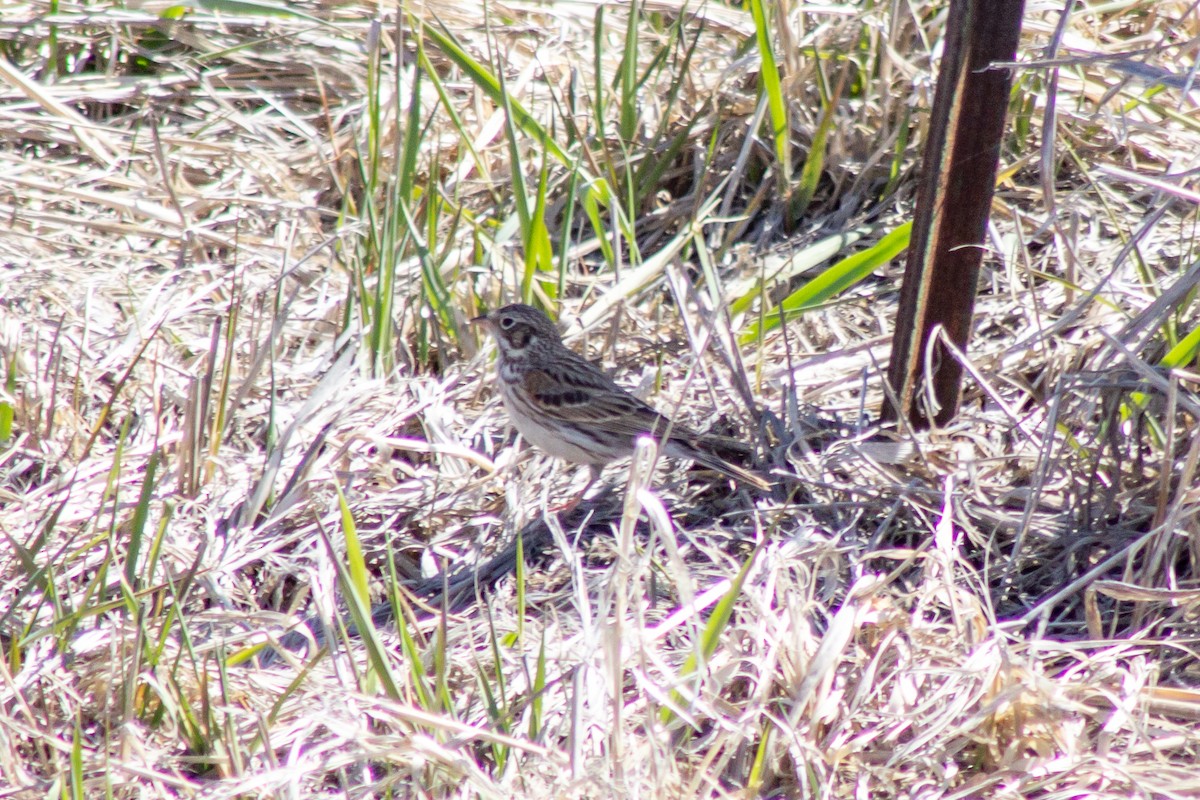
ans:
(1009, 613)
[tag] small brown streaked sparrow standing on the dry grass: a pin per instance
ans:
(566, 406)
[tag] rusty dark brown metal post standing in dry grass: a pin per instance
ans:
(953, 201)
